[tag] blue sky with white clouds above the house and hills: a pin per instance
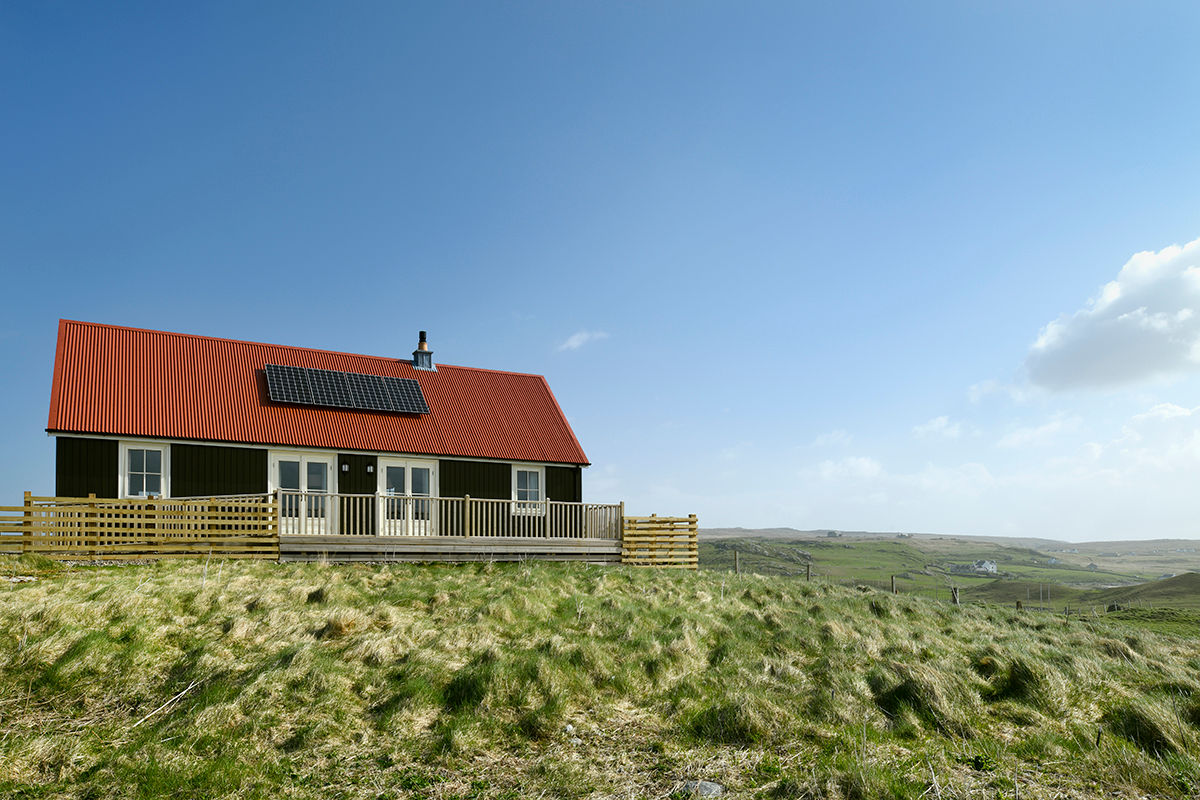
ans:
(818, 266)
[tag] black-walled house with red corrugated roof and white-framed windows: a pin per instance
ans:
(350, 444)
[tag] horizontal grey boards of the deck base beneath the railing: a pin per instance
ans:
(447, 549)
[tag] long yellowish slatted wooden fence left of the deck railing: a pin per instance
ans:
(142, 528)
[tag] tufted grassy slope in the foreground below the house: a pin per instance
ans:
(265, 681)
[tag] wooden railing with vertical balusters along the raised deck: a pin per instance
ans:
(380, 515)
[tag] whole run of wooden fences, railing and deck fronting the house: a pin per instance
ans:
(315, 527)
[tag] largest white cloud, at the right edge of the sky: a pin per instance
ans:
(1144, 324)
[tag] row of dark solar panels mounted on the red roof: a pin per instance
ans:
(334, 389)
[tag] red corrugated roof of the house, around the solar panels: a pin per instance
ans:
(137, 383)
